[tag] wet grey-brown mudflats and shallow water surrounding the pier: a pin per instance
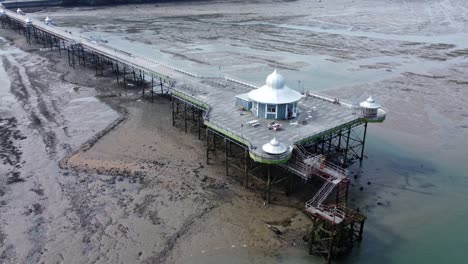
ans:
(132, 191)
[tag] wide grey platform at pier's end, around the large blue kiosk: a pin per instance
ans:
(316, 117)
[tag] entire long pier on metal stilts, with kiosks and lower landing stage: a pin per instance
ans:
(317, 138)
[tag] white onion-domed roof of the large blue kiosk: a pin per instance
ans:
(274, 91)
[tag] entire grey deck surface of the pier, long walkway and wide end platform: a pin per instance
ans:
(318, 116)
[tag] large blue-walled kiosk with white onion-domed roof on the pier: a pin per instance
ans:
(274, 100)
